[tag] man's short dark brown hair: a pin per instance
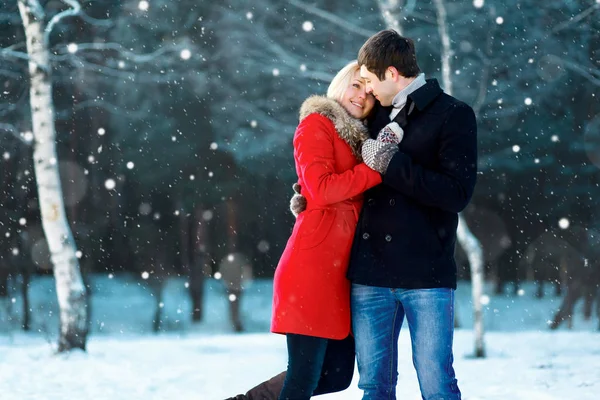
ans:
(388, 49)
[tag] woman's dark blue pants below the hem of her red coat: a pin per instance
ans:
(317, 366)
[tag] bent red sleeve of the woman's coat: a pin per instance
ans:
(314, 153)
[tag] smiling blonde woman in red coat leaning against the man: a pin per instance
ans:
(311, 300)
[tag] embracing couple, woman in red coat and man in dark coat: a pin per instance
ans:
(385, 162)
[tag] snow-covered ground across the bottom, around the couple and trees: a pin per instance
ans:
(208, 362)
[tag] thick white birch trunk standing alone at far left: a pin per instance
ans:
(72, 299)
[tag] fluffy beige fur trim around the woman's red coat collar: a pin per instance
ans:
(349, 129)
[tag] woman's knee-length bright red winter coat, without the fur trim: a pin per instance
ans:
(311, 294)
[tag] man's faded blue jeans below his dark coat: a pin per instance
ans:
(377, 315)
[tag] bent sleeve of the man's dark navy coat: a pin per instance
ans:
(451, 185)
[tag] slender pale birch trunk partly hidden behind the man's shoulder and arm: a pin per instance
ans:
(466, 239)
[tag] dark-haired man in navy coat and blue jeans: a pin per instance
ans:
(402, 260)
